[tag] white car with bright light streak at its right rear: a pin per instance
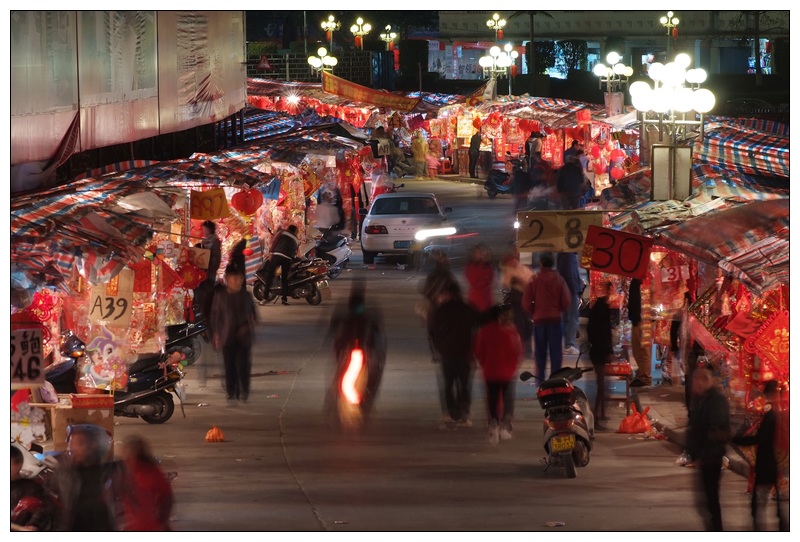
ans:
(394, 222)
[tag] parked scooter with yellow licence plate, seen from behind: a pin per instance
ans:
(568, 419)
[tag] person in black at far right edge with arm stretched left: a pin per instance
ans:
(766, 466)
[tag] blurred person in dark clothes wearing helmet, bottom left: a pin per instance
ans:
(81, 481)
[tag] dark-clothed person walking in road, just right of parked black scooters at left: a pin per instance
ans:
(234, 318)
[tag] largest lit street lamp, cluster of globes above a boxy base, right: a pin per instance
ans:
(673, 107)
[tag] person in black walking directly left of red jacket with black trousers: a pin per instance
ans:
(451, 326)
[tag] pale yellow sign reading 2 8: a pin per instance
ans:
(556, 231)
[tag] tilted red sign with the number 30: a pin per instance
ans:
(616, 252)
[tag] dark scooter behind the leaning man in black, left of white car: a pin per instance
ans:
(308, 279)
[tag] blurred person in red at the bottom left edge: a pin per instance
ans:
(143, 491)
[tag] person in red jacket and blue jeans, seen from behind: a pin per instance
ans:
(545, 299)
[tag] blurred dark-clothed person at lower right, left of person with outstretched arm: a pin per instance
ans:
(706, 440)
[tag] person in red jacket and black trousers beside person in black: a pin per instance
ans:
(498, 350)
